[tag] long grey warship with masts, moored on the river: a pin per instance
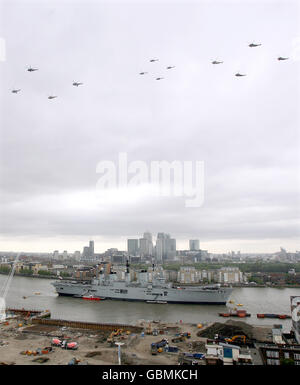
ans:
(156, 290)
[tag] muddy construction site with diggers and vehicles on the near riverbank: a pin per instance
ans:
(31, 337)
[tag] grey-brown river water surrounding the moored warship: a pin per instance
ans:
(254, 300)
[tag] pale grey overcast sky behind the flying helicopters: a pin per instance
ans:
(245, 130)
